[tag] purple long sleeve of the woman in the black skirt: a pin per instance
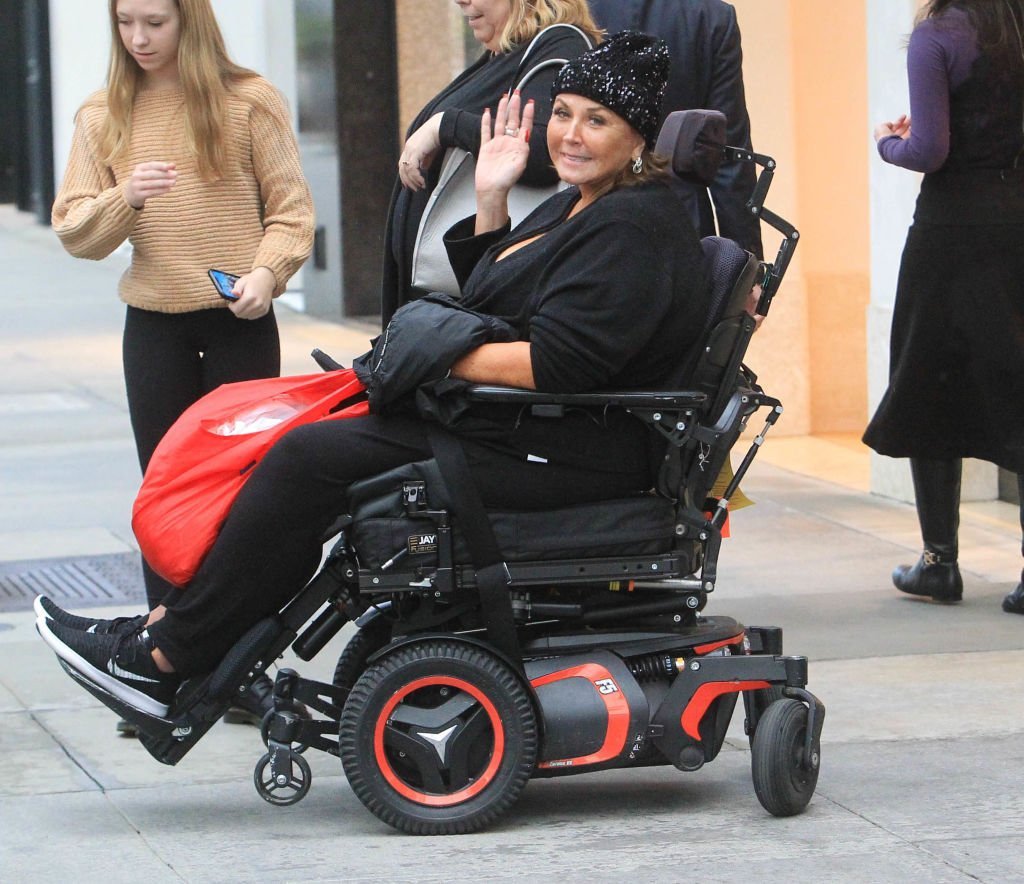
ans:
(941, 56)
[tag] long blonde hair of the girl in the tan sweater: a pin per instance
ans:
(207, 74)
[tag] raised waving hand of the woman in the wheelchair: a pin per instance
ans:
(504, 149)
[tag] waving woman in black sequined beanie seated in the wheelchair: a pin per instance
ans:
(602, 286)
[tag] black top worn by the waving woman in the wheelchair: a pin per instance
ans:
(613, 299)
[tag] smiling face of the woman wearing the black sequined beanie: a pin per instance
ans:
(589, 144)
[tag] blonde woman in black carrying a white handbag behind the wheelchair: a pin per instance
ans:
(452, 119)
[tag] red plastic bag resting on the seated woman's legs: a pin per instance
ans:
(206, 457)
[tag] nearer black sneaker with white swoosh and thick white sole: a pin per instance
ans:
(122, 665)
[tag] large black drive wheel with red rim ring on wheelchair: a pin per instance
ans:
(485, 746)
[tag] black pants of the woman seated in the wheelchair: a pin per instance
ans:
(271, 543)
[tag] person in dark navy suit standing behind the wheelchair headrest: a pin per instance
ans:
(707, 72)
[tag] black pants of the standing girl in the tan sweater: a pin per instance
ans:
(174, 360)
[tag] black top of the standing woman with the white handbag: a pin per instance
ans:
(463, 102)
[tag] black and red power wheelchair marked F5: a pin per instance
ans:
(497, 647)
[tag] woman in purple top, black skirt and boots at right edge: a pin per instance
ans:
(957, 370)
